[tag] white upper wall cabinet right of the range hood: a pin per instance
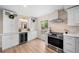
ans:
(73, 16)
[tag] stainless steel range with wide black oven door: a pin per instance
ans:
(55, 39)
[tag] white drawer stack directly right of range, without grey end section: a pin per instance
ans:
(69, 44)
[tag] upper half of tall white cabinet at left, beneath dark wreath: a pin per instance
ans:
(9, 25)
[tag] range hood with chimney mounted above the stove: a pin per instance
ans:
(58, 16)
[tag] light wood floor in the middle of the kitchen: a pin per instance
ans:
(34, 46)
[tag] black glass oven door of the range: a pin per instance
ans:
(56, 42)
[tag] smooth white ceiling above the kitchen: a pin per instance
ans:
(32, 10)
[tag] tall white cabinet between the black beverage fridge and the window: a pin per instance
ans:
(32, 34)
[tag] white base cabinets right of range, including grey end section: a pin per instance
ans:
(71, 44)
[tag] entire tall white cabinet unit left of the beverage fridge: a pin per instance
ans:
(10, 36)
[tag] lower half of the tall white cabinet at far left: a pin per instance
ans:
(9, 40)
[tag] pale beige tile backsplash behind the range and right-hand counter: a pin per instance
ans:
(61, 27)
